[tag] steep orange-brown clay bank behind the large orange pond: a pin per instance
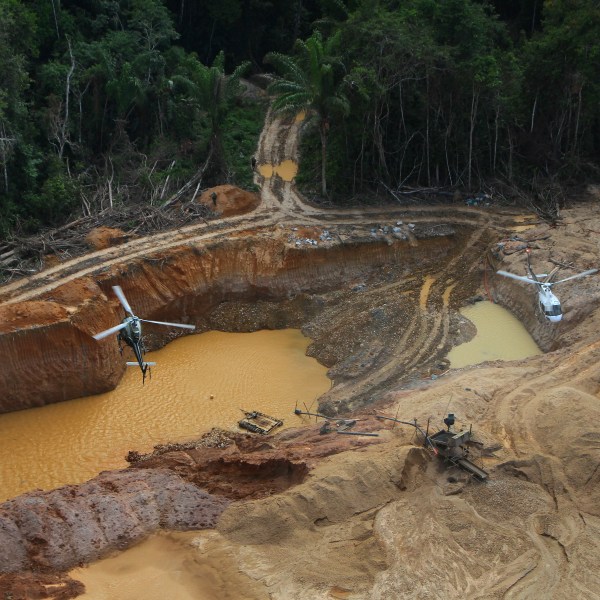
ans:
(234, 284)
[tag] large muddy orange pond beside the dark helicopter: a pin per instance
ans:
(199, 382)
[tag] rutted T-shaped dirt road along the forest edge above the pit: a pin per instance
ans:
(280, 203)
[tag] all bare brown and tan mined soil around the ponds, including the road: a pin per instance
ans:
(332, 516)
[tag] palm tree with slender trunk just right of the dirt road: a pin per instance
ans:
(313, 81)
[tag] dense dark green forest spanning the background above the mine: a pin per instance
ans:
(106, 103)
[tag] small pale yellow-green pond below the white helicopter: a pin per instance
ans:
(500, 336)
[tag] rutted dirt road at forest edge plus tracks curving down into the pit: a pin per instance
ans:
(426, 330)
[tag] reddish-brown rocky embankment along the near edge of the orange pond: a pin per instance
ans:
(178, 487)
